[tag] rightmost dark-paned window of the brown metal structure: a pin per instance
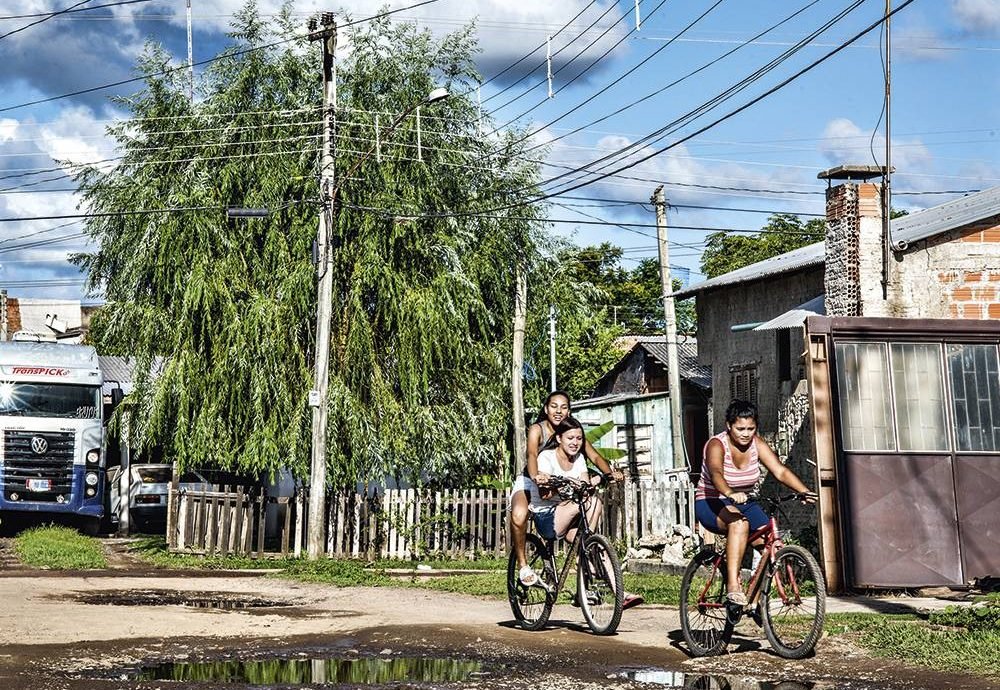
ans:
(975, 387)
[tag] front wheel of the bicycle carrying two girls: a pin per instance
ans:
(599, 592)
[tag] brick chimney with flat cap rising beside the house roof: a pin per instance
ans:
(853, 278)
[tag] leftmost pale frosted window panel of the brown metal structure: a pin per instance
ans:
(863, 380)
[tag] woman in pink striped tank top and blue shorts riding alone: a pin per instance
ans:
(731, 469)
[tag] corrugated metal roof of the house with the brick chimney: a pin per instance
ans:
(905, 229)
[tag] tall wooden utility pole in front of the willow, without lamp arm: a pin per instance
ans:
(324, 269)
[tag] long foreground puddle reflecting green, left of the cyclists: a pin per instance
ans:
(310, 671)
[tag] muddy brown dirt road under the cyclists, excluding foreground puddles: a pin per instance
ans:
(85, 631)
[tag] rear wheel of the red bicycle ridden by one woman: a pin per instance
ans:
(705, 624)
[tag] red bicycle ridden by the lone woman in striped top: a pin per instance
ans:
(786, 595)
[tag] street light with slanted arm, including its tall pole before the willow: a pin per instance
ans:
(324, 312)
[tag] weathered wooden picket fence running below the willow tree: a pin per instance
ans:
(405, 523)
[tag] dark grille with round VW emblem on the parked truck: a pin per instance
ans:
(33, 476)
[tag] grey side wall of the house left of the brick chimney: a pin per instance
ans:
(725, 349)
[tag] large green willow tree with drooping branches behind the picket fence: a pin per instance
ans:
(426, 242)
